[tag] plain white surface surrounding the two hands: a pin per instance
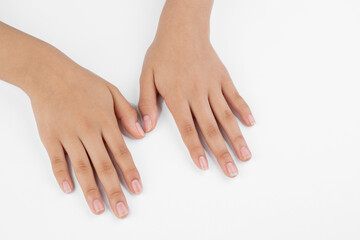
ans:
(295, 62)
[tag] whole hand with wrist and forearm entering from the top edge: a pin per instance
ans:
(182, 66)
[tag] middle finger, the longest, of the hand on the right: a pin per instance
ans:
(213, 137)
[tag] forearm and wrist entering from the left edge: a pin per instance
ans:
(23, 58)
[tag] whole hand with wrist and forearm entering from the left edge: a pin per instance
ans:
(77, 115)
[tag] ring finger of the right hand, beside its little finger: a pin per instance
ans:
(226, 118)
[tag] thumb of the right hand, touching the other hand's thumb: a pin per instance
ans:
(147, 101)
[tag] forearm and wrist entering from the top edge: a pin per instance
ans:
(186, 19)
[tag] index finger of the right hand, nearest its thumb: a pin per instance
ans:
(185, 123)
